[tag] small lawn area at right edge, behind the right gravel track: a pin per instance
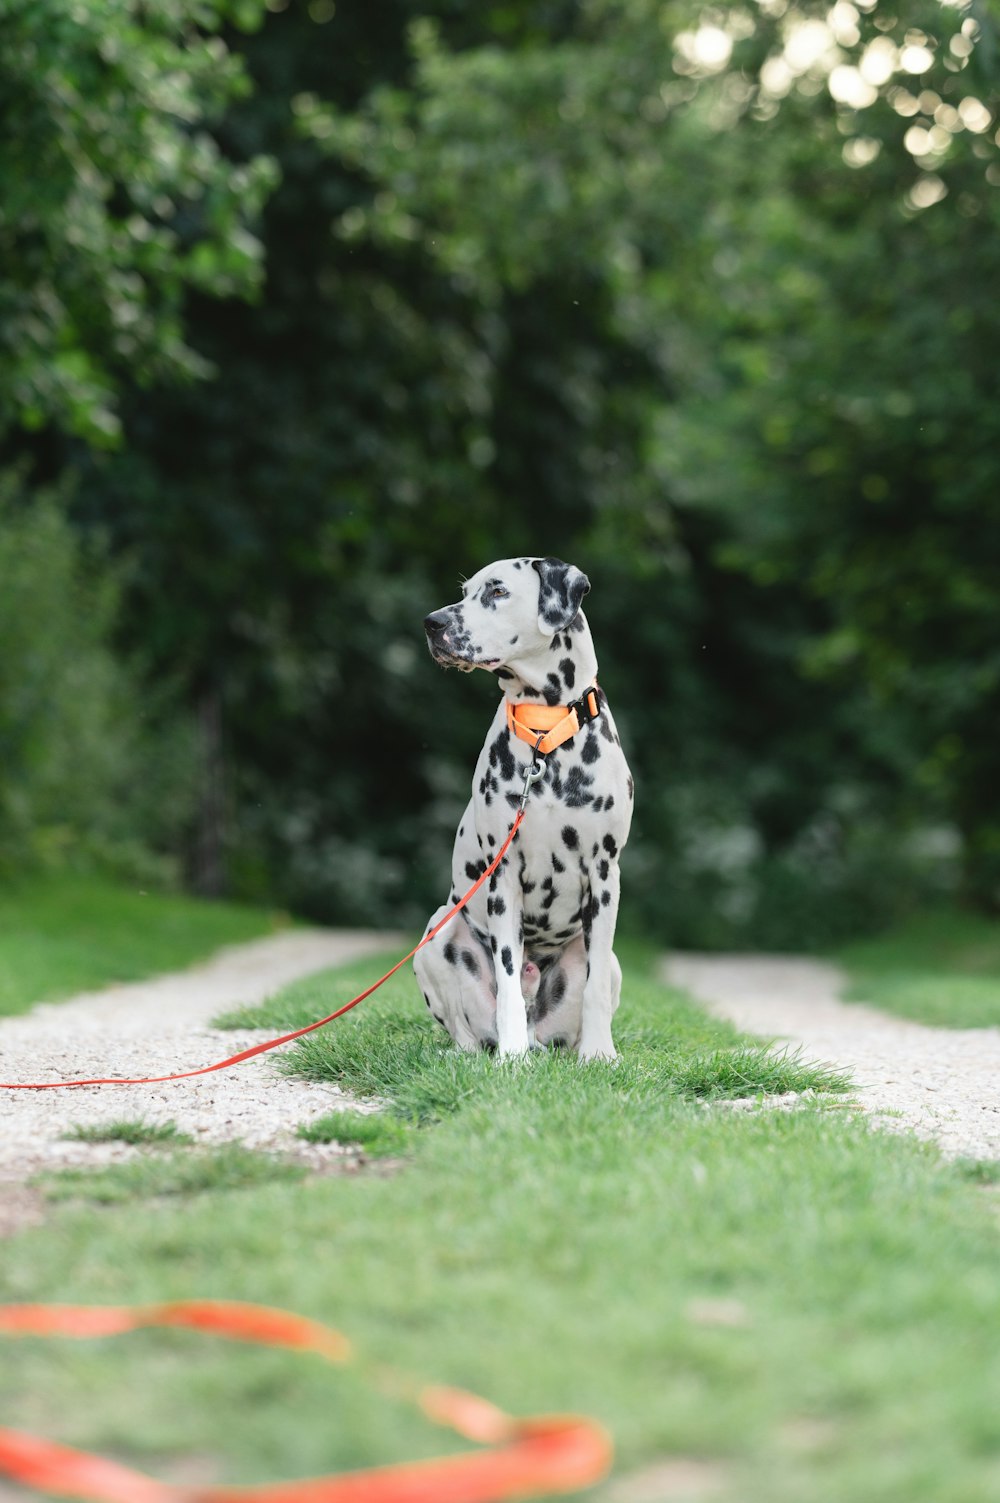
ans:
(941, 969)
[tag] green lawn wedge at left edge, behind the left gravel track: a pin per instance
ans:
(73, 934)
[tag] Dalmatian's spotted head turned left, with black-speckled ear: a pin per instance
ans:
(509, 611)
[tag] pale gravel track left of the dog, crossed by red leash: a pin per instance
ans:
(154, 1029)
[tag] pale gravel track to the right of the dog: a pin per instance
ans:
(939, 1083)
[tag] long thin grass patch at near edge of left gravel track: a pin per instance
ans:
(175, 1175)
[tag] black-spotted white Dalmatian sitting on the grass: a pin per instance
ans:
(530, 961)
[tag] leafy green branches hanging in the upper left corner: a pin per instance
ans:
(117, 199)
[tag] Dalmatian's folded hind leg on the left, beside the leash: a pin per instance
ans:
(456, 978)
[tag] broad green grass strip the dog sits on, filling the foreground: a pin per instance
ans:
(805, 1304)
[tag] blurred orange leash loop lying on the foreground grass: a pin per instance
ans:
(529, 1457)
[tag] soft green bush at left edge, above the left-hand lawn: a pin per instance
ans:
(91, 769)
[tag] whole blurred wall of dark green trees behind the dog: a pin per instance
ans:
(309, 310)
